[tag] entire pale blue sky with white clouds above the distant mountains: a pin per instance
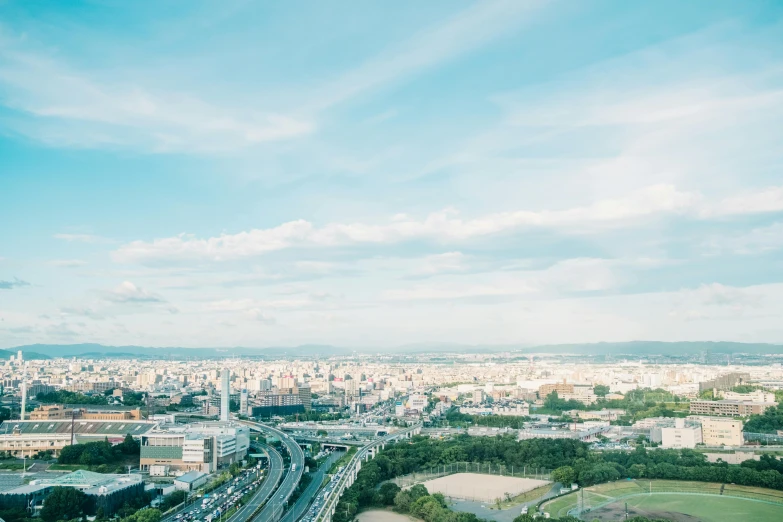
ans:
(375, 174)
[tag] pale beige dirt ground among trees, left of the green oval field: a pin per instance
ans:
(482, 488)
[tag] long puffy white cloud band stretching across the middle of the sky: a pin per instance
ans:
(444, 226)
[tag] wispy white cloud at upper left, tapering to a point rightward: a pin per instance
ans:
(77, 108)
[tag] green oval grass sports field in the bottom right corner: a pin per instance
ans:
(671, 500)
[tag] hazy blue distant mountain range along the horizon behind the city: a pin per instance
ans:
(633, 348)
